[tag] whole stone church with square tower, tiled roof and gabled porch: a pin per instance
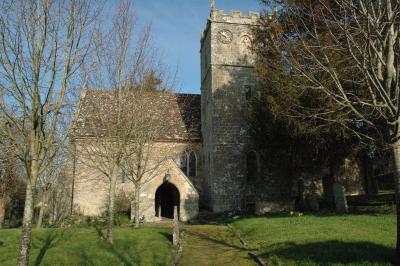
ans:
(215, 164)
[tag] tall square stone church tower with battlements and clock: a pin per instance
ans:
(227, 82)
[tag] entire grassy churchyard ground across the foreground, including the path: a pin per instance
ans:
(325, 239)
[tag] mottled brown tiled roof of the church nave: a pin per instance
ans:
(178, 114)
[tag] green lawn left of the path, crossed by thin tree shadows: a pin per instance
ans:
(84, 246)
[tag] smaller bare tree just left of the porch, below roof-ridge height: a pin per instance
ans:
(143, 155)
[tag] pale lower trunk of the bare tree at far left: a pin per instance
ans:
(23, 258)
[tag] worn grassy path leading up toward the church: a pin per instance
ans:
(212, 245)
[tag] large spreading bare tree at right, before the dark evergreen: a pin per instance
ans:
(348, 52)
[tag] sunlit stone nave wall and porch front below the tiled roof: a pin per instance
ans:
(91, 185)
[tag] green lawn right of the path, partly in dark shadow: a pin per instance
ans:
(365, 239)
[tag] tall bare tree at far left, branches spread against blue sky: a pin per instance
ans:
(42, 46)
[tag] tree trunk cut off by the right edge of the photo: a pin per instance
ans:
(396, 158)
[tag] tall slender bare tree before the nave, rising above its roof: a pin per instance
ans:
(123, 70)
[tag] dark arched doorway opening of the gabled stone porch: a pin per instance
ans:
(167, 196)
